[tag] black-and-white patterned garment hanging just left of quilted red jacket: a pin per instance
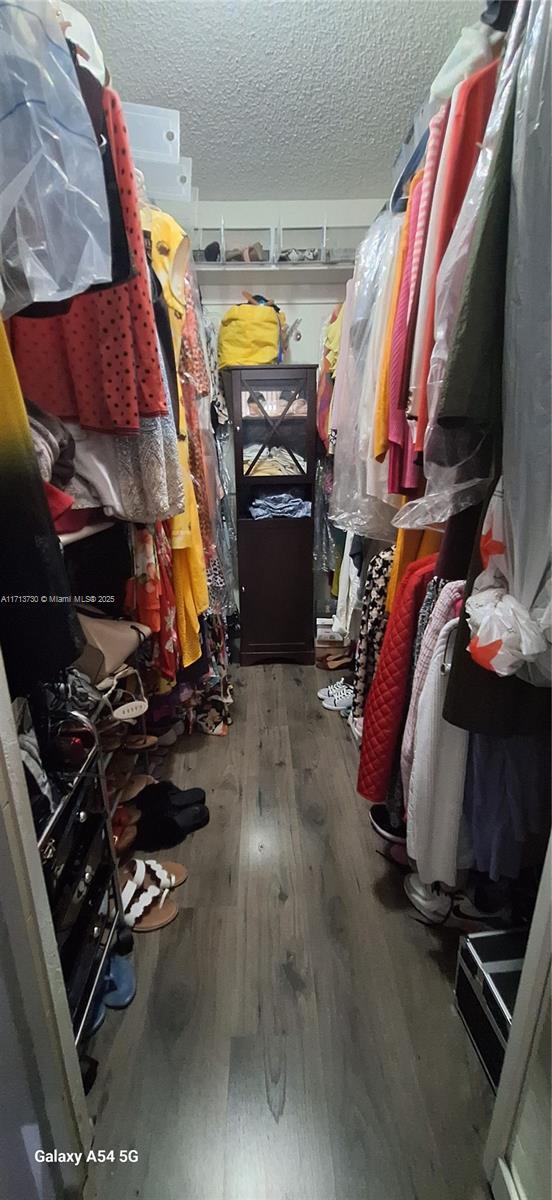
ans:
(373, 627)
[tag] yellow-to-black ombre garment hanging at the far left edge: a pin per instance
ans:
(40, 634)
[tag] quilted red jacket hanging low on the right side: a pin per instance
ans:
(388, 698)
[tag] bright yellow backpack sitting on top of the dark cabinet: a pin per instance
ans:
(251, 335)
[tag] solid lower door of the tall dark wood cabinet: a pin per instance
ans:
(277, 589)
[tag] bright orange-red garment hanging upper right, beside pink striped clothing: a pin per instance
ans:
(469, 122)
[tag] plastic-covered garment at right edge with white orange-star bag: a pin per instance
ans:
(514, 592)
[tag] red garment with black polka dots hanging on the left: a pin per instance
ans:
(99, 365)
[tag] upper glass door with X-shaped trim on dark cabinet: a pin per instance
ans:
(274, 422)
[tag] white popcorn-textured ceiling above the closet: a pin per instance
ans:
(283, 99)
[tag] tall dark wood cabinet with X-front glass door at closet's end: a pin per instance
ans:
(274, 417)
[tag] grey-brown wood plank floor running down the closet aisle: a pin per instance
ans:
(295, 1035)
